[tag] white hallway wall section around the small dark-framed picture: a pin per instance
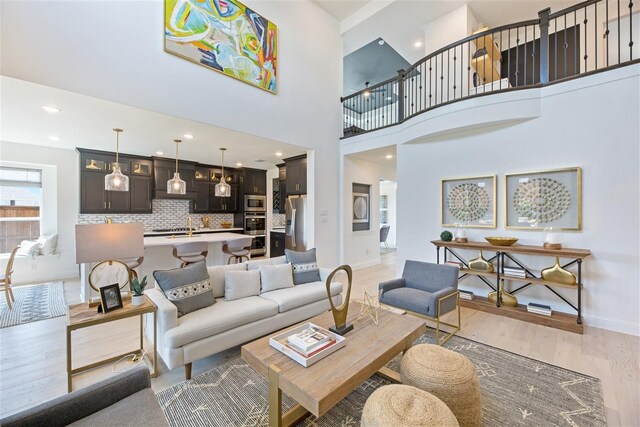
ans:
(361, 248)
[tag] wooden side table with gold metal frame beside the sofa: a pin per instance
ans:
(82, 316)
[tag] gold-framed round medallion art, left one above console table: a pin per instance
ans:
(470, 201)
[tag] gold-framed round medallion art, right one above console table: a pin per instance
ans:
(535, 200)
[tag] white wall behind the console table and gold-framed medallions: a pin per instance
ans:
(579, 125)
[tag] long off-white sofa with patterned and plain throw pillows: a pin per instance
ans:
(225, 324)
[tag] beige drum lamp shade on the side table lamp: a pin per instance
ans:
(102, 242)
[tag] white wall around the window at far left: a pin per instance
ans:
(60, 180)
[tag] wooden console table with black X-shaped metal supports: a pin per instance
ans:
(572, 323)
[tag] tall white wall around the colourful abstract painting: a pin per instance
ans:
(114, 51)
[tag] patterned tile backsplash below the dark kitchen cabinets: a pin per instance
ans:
(166, 214)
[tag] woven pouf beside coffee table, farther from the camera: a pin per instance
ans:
(449, 376)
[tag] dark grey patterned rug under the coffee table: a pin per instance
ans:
(516, 391)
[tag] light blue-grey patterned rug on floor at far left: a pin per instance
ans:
(33, 303)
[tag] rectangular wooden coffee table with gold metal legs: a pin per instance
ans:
(321, 386)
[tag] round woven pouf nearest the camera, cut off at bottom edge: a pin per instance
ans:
(402, 405)
